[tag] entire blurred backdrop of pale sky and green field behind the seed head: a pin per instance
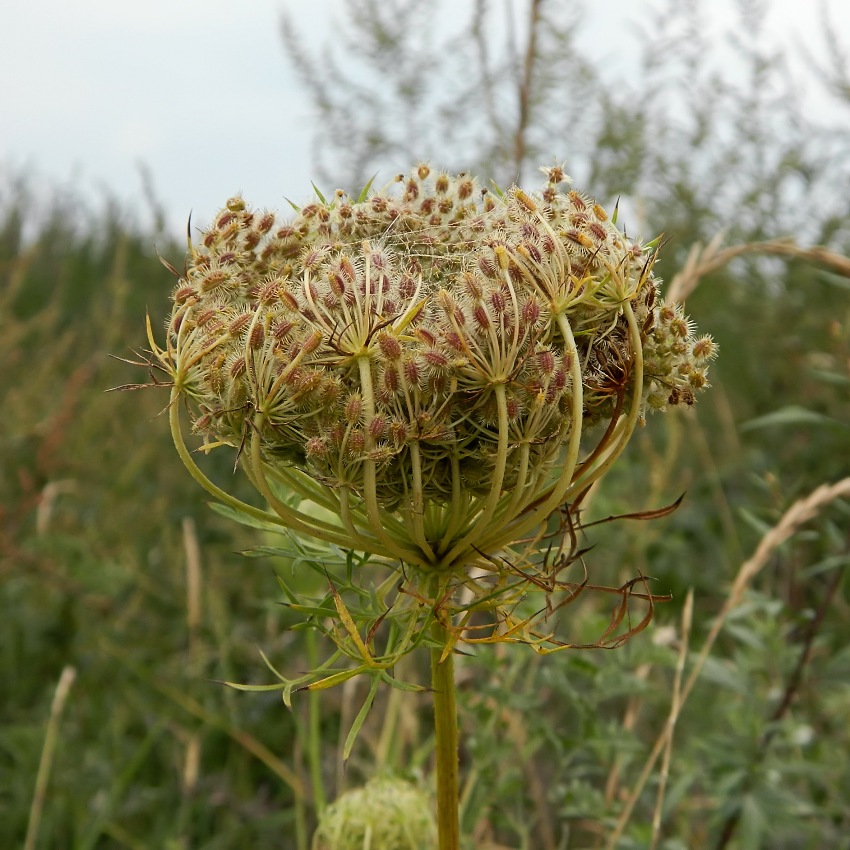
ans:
(708, 121)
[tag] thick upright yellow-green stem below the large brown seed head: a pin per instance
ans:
(445, 727)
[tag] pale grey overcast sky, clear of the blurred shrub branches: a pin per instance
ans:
(201, 92)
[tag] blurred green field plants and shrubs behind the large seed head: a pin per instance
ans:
(112, 564)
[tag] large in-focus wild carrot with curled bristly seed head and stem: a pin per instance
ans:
(431, 375)
